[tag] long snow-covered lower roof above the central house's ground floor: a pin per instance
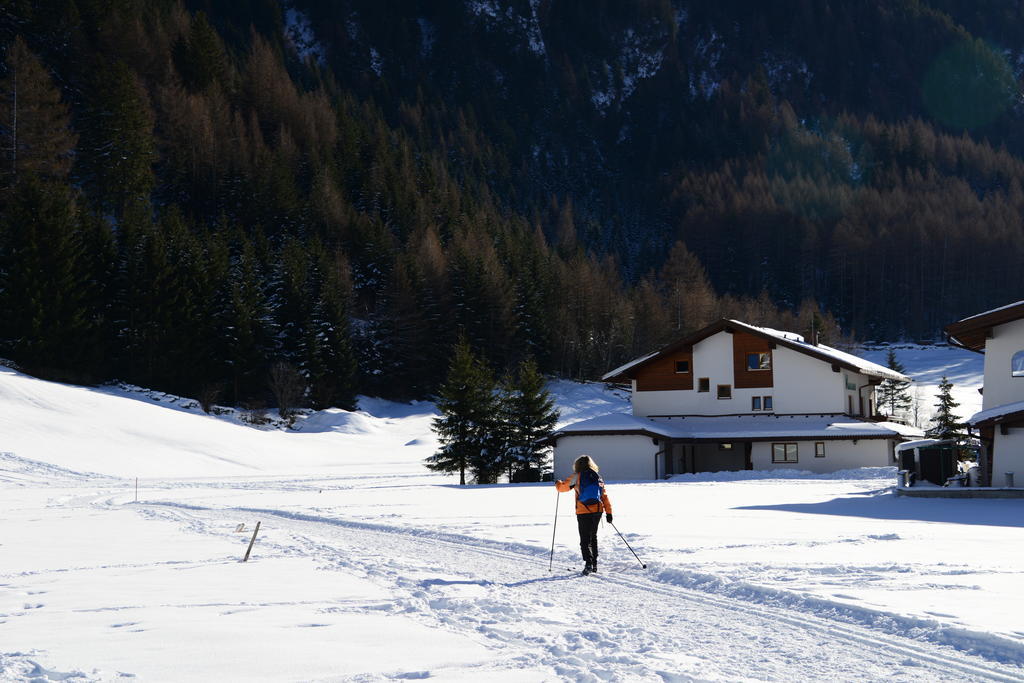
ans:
(754, 428)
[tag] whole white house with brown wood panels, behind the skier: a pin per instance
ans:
(736, 397)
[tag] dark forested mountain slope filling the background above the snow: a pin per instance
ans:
(197, 193)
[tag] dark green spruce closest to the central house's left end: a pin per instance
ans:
(531, 416)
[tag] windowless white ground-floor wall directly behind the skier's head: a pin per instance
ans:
(620, 457)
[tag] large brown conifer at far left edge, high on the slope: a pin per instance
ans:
(35, 123)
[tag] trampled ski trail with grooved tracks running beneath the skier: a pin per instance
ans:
(623, 623)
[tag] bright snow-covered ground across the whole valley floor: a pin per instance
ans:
(370, 568)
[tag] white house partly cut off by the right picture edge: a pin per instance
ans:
(1000, 335)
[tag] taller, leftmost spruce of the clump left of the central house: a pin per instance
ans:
(467, 405)
